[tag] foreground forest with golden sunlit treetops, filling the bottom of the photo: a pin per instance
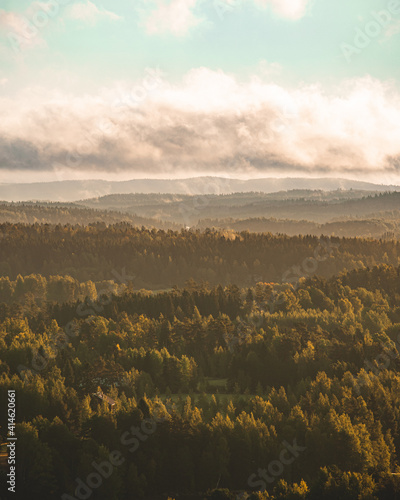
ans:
(273, 391)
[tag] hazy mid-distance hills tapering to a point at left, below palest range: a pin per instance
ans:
(317, 206)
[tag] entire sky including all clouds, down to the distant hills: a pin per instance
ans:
(176, 88)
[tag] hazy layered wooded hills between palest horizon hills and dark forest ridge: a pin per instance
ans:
(332, 213)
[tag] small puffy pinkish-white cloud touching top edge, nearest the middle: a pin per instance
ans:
(177, 17)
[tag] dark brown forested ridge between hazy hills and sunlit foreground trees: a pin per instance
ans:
(160, 259)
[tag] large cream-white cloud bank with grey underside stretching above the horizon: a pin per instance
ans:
(209, 123)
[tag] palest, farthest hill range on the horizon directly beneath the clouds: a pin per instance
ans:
(67, 191)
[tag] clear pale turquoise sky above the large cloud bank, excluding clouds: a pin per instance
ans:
(308, 49)
